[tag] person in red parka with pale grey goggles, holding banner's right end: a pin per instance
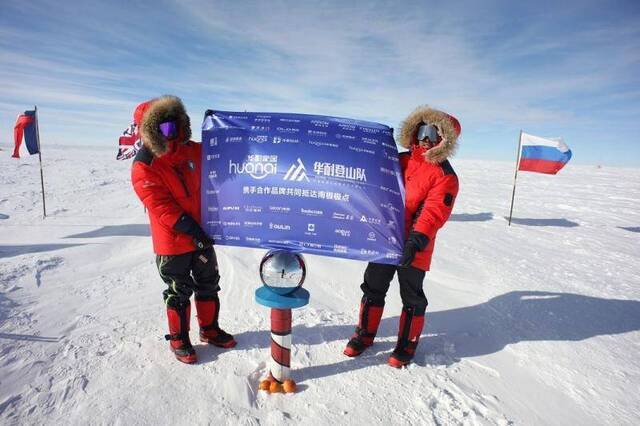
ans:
(431, 187)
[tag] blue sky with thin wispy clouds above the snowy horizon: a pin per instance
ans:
(555, 69)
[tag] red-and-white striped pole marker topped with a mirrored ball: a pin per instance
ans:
(282, 273)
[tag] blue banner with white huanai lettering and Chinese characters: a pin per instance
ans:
(322, 185)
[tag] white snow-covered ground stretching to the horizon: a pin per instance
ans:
(534, 324)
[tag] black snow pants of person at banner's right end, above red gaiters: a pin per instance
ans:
(377, 279)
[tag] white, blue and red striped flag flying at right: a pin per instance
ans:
(542, 155)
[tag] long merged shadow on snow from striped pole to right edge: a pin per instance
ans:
(482, 329)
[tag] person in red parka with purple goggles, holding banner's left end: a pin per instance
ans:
(166, 177)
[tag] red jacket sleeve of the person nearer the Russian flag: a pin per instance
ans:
(437, 206)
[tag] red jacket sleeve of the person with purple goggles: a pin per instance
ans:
(154, 194)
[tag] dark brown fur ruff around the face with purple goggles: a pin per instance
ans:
(162, 109)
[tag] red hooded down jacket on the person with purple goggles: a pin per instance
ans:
(166, 174)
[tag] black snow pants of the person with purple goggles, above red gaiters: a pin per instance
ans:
(184, 274)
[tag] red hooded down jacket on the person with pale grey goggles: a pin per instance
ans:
(431, 185)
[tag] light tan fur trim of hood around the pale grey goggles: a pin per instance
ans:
(448, 126)
